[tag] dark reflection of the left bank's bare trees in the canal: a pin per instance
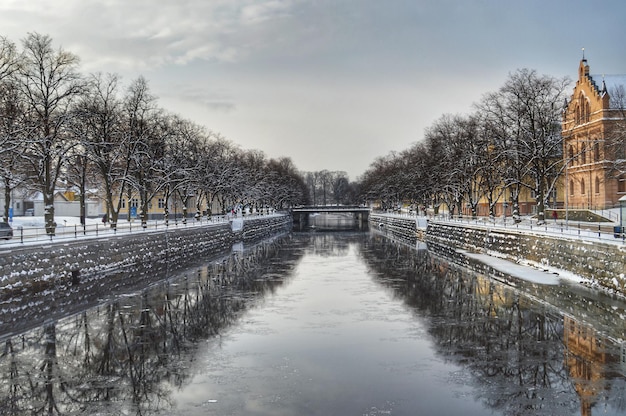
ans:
(124, 357)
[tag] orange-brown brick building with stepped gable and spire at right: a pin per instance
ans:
(594, 131)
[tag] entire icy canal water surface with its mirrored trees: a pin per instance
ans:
(338, 323)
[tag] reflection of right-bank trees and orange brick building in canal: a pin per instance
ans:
(529, 349)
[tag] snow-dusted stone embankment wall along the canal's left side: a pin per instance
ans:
(154, 252)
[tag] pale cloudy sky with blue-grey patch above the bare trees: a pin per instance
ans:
(332, 84)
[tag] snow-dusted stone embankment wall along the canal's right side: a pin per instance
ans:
(601, 263)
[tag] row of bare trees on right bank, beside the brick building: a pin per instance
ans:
(511, 141)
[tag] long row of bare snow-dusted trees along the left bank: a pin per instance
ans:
(88, 131)
